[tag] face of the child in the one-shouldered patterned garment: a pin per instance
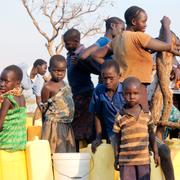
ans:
(58, 71)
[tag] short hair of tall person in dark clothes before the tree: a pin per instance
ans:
(72, 34)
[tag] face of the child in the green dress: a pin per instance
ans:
(8, 81)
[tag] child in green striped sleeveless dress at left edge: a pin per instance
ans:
(13, 110)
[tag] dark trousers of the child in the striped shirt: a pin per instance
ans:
(132, 172)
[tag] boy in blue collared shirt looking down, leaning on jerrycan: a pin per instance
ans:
(106, 101)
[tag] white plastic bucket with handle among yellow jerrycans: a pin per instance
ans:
(68, 166)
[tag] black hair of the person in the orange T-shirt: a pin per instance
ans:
(131, 13)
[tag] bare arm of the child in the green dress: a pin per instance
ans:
(3, 111)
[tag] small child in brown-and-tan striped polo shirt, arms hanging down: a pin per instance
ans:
(134, 133)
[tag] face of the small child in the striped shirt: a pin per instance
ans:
(132, 94)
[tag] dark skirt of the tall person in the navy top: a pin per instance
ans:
(83, 123)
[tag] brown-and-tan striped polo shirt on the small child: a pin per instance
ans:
(134, 138)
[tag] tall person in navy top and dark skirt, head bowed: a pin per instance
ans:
(82, 87)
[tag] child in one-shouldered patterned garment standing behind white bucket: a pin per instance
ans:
(58, 109)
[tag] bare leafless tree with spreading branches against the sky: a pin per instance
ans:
(52, 17)
